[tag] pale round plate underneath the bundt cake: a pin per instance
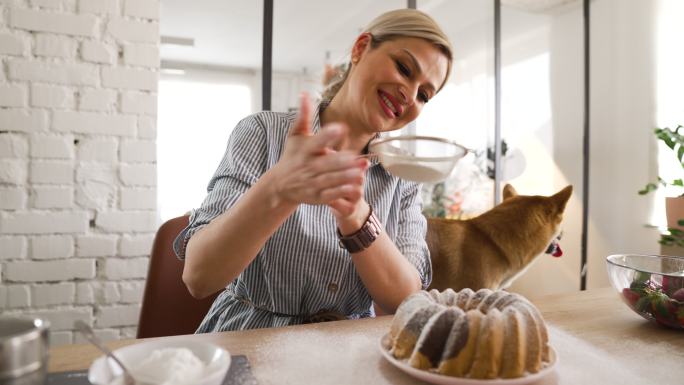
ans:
(440, 379)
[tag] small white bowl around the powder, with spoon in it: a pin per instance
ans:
(217, 359)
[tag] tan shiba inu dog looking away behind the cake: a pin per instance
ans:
(491, 250)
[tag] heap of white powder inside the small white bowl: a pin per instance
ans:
(170, 366)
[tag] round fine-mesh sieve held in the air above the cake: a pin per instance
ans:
(424, 159)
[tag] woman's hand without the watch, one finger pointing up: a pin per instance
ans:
(311, 171)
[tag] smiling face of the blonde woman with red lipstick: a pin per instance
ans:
(390, 84)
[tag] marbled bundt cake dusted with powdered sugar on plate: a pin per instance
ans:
(485, 334)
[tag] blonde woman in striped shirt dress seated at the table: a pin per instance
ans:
(298, 226)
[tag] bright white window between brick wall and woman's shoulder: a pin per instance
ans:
(195, 121)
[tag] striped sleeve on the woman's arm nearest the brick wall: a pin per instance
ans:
(242, 165)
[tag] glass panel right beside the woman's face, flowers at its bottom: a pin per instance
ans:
(464, 110)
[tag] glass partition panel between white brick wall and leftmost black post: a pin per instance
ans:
(205, 89)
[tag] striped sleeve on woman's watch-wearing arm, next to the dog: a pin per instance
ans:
(411, 232)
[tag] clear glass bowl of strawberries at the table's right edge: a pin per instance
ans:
(651, 285)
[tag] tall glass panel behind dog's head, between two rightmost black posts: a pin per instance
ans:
(542, 124)
